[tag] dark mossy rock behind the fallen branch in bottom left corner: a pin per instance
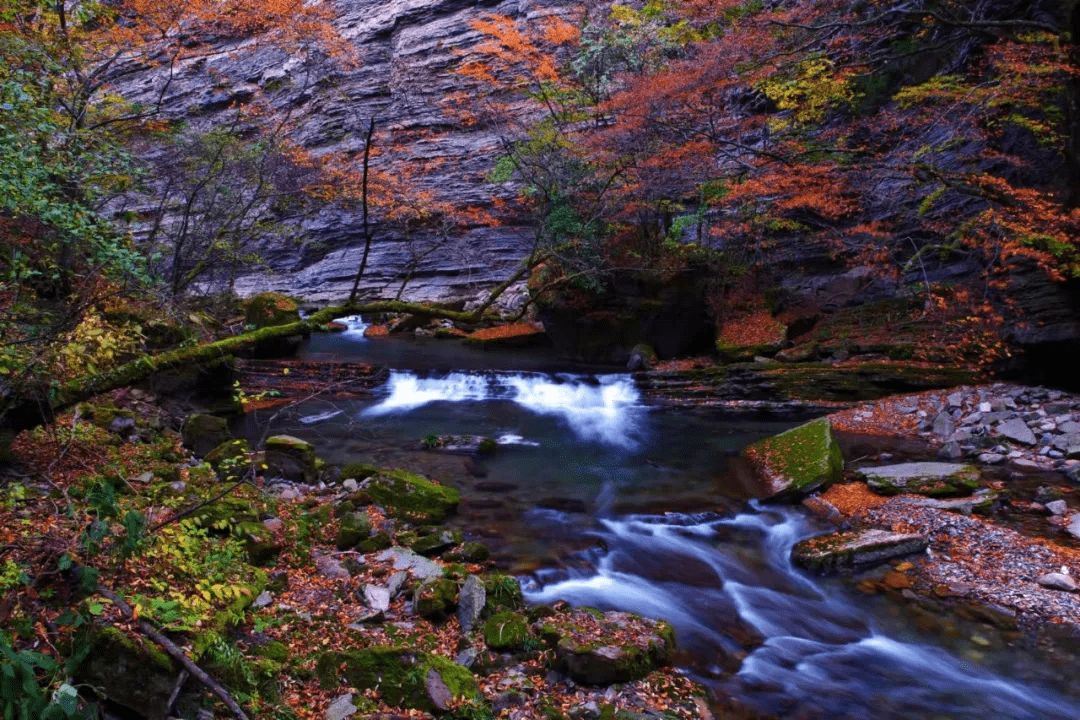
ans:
(136, 675)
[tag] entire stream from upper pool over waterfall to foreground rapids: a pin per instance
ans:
(597, 499)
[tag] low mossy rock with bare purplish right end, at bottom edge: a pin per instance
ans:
(406, 678)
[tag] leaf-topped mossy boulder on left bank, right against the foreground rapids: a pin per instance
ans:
(601, 648)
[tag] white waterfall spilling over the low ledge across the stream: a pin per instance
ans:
(605, 410)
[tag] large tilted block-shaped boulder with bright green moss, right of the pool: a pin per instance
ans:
(799, 461)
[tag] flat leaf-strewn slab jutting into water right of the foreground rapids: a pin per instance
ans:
(858, 549)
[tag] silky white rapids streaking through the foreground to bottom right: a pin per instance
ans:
(819, 651)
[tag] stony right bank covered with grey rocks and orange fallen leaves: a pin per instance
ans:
(987, 534)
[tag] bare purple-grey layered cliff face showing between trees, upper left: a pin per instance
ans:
(408, 51)
